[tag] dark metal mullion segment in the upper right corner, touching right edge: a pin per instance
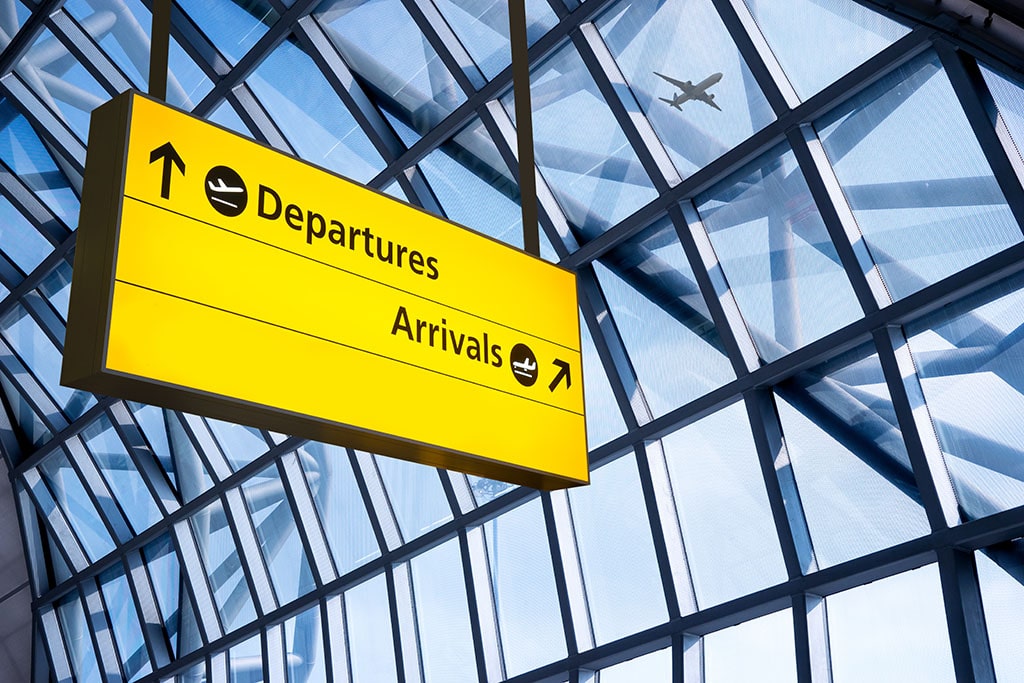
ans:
(982, 112)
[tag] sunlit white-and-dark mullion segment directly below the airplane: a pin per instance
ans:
(740, 348)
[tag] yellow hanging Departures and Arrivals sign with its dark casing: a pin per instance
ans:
(217, 276)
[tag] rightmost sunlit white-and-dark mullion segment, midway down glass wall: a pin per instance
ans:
(916, 423)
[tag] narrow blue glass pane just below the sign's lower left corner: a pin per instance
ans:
(121, 475)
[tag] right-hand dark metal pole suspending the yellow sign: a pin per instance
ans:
(524, 125)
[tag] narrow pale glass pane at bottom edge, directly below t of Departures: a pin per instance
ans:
(371, 642)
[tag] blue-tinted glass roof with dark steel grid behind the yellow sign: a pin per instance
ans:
(797, 228)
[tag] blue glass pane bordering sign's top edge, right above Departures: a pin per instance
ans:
(306, 108)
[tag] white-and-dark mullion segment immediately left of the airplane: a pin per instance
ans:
(625, 109)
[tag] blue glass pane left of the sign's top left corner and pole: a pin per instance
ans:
(62, 82)
